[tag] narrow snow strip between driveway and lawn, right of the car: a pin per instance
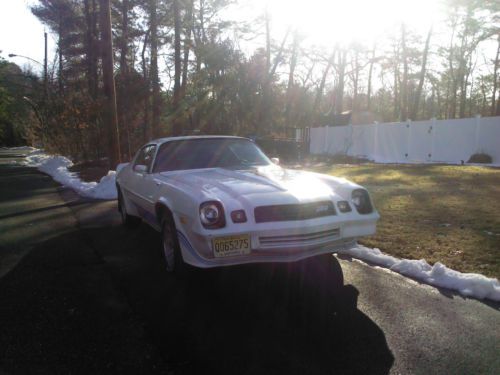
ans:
(467, 284)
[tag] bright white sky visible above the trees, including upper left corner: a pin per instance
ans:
(321, 22)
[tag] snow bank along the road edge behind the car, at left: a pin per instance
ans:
(57, 168)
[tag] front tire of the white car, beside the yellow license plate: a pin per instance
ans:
(170, 247)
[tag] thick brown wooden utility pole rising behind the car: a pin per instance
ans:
(111, 116)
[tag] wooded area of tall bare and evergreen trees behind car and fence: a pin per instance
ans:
(179, 68)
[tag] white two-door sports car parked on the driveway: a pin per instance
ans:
(219, 201)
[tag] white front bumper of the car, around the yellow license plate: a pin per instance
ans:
(278, 242)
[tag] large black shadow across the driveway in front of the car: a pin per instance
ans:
(100, 301)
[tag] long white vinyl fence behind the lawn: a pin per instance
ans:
(448, 141)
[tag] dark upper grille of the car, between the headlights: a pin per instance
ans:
(290, 212)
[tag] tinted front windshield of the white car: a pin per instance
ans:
(233, 153)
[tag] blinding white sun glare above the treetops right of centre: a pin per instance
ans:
(327, 22)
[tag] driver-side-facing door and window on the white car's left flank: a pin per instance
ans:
(141, 184)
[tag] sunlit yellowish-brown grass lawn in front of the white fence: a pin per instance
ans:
(444, 213)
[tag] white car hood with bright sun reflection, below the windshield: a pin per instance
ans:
(259, 186)
